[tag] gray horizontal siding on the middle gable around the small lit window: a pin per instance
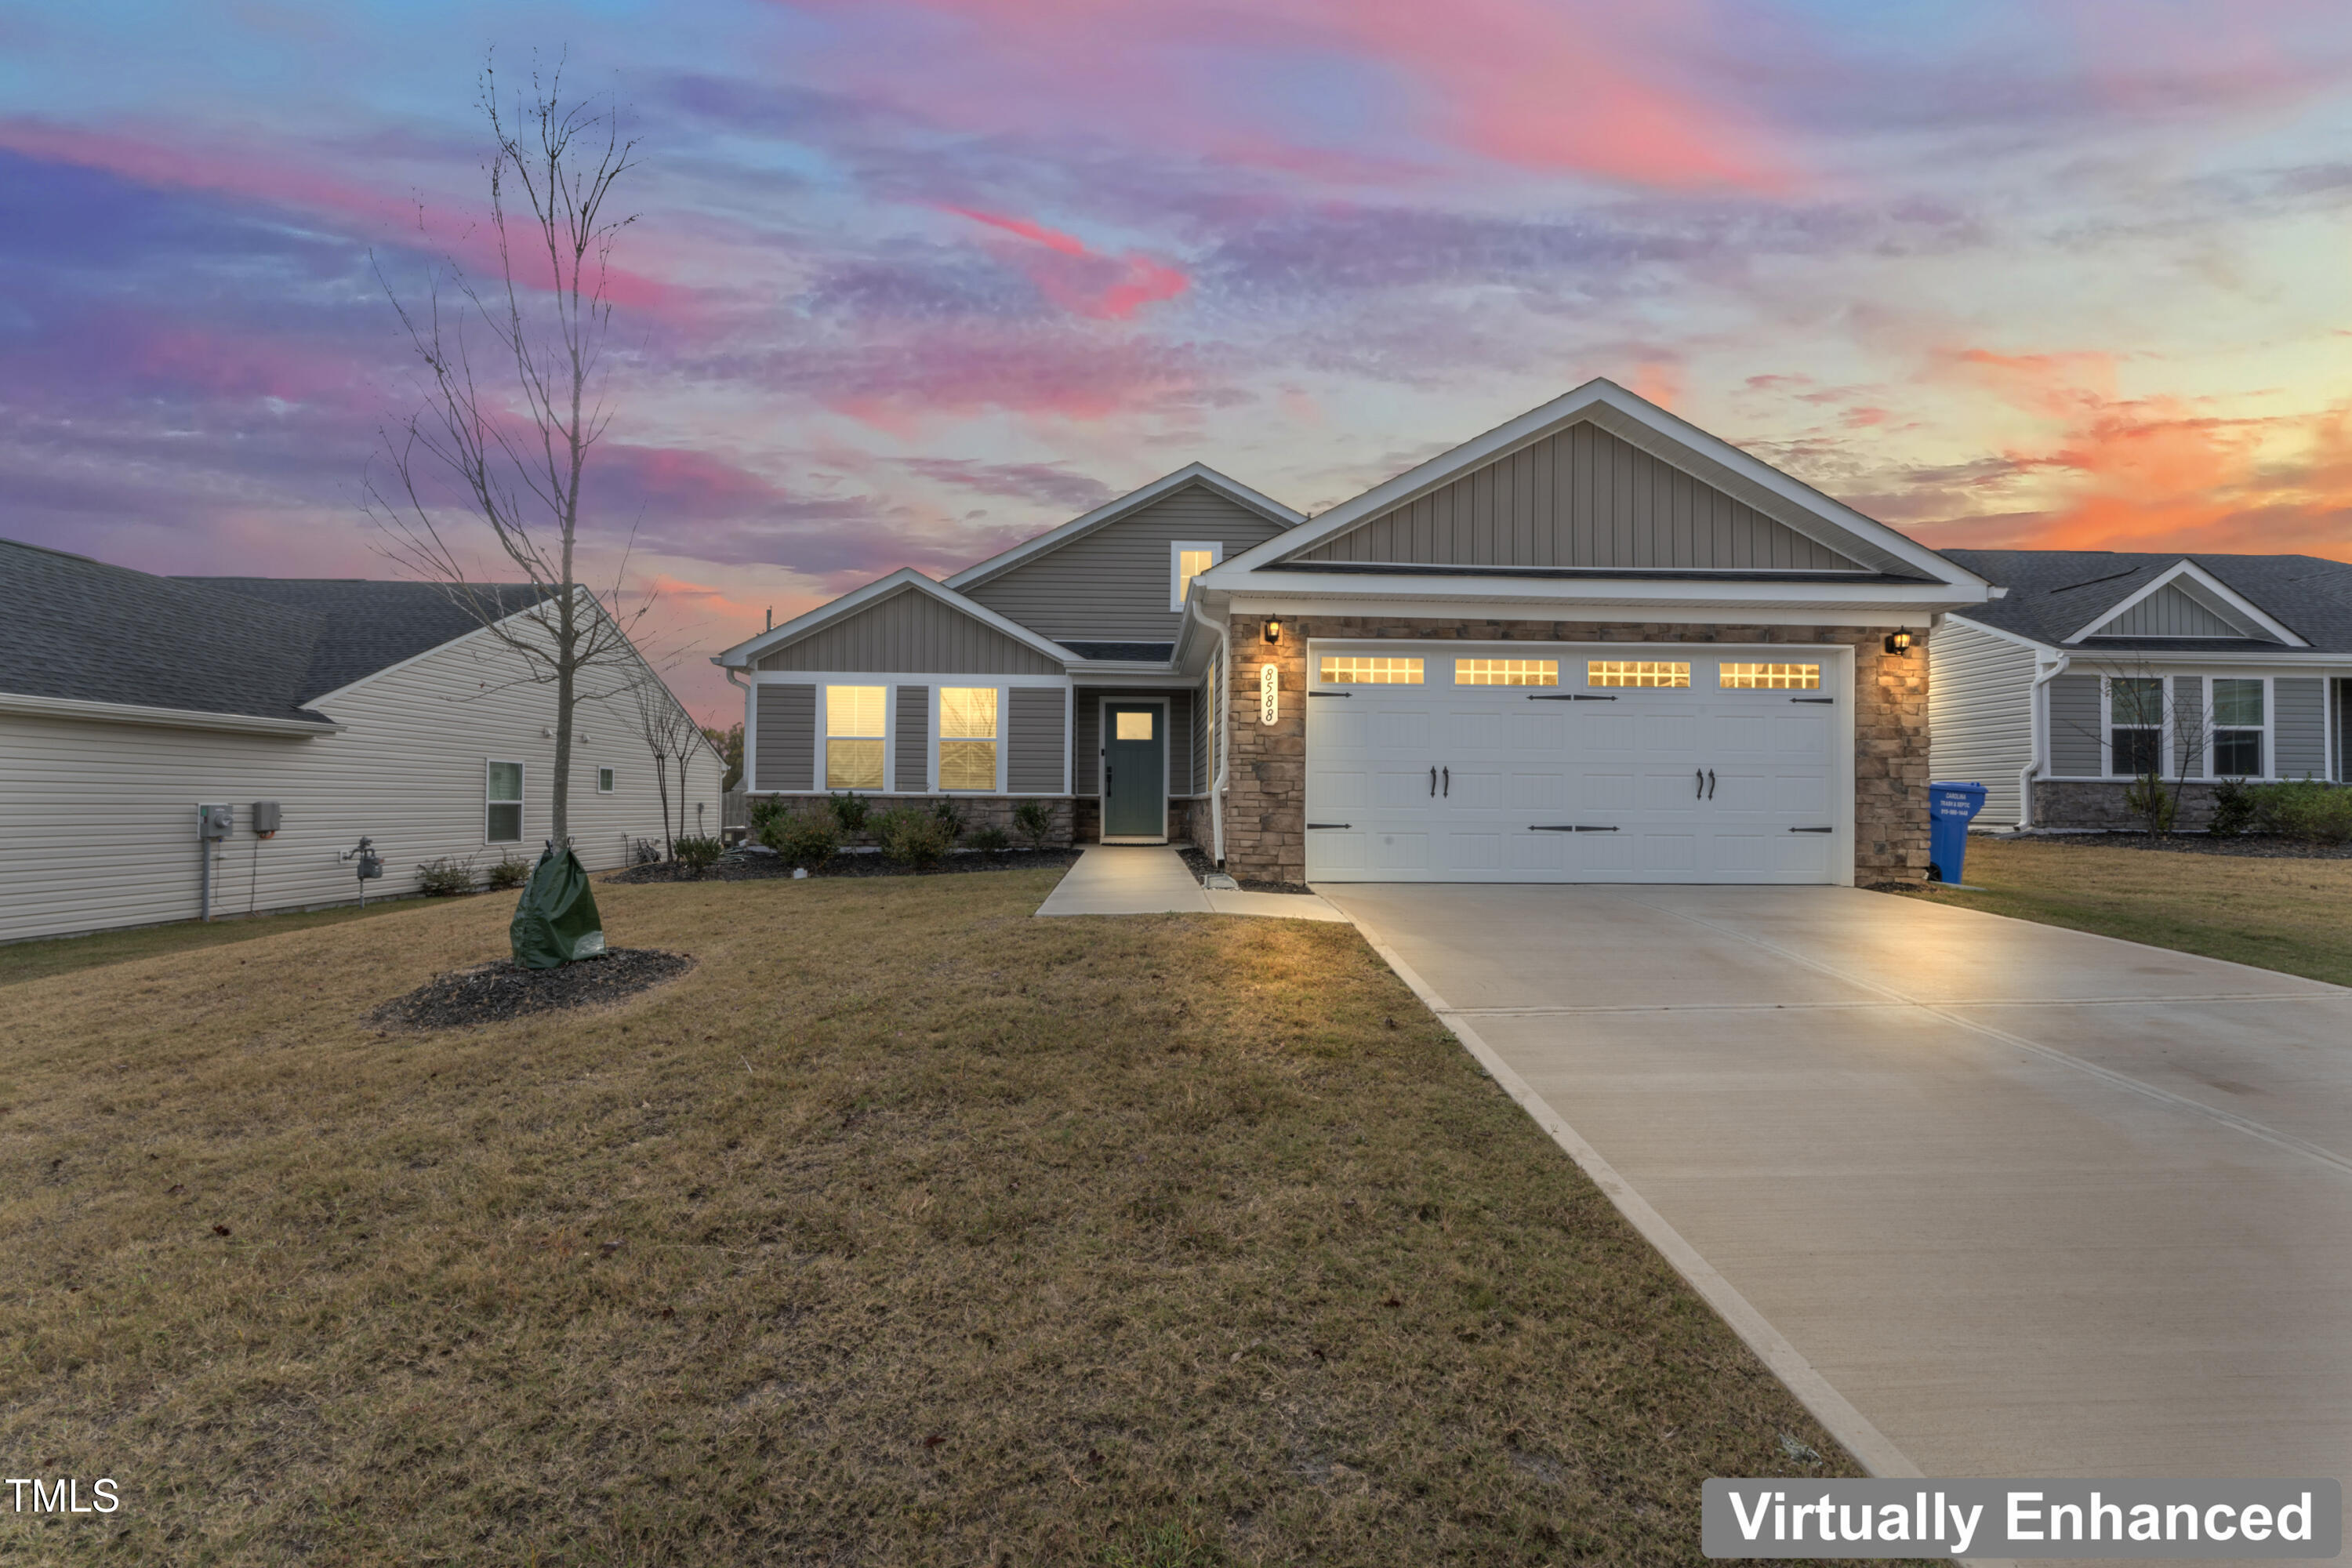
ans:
(1114, 584)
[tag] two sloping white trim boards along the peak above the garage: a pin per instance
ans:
(1565, 413)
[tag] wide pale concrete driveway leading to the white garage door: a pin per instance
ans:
(2000, 1200)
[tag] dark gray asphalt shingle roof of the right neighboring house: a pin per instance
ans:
(2054, 594)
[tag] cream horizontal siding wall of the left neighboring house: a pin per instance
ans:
(98, 819)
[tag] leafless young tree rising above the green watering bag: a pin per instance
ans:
(509, 450)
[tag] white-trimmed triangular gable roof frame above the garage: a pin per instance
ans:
(1862, 547)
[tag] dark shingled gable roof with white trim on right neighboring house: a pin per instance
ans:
(2066, 598)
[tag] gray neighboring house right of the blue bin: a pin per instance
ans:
(2102, 666)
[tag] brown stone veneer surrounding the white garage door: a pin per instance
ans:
(1269, 779)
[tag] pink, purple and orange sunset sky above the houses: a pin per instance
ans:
(918, 279)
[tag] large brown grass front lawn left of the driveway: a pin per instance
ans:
(904, 1231)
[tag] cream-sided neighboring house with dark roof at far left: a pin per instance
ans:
(359, 709)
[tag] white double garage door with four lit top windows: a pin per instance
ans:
(1629, 763)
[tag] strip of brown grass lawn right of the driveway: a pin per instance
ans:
(2287, 916)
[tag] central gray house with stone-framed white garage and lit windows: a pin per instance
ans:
(1591, 645)
